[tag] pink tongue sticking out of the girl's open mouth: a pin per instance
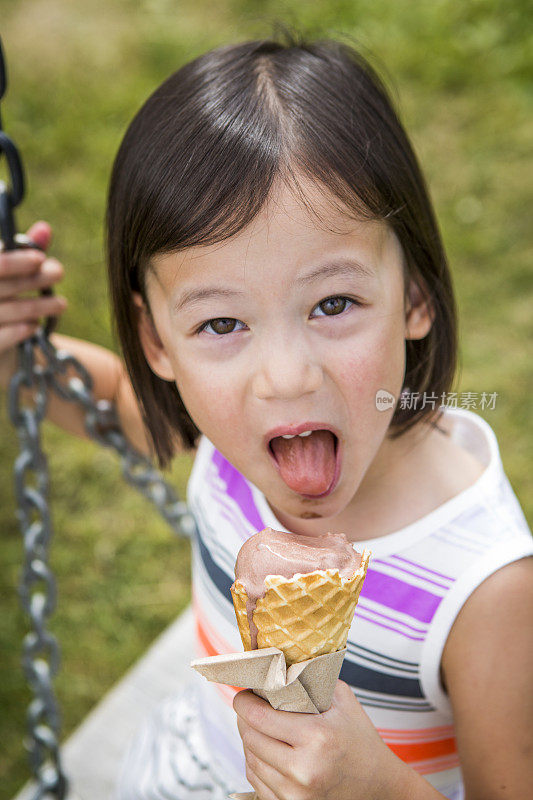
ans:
(307, 464)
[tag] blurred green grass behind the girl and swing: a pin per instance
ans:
(462, 76)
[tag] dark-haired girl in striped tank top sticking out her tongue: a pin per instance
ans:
(284, 306)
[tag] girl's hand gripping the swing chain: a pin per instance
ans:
(23, 271)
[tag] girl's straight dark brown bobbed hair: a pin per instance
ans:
(198, 162)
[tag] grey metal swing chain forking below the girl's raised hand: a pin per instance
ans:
(27, 402)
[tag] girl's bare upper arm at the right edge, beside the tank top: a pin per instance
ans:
(488, 669)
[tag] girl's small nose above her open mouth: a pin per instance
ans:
(285, 372)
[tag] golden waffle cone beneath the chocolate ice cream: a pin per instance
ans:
(305, 616)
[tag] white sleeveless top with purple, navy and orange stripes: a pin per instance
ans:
(418, 579)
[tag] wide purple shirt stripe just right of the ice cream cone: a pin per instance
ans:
(400, 596)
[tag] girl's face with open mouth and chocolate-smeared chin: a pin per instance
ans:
(290, 323)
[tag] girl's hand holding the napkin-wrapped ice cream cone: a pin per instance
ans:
(336, 755)
